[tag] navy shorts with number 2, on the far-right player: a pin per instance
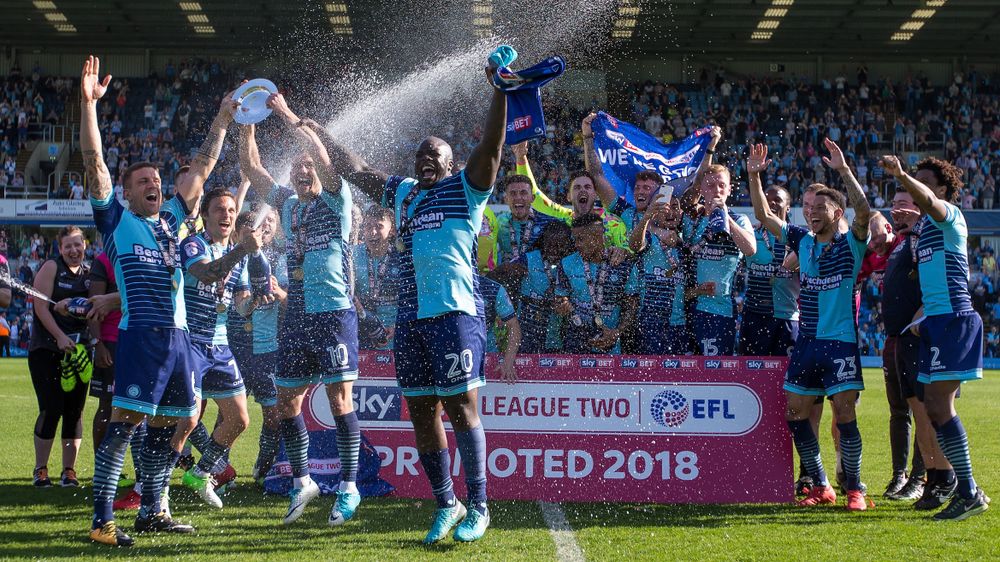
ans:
(951, 348)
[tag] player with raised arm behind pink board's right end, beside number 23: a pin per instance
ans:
(770, 322)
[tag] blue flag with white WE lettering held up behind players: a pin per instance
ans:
(625, 150)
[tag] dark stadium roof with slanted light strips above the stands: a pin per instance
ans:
(642, 27)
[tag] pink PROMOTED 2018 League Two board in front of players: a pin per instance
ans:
(600, 428)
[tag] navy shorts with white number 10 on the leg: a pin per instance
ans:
(318, 347)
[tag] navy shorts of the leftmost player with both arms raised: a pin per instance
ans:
(155, 373)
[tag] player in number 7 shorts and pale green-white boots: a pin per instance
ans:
(217, 280)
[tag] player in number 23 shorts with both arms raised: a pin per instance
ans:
(825, 360)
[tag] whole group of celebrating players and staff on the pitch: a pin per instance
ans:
(267, 289)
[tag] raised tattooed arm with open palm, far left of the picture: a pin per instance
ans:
(92, 88)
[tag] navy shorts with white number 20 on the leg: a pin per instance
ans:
(441, 356)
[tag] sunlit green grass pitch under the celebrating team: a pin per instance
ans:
(52, 523)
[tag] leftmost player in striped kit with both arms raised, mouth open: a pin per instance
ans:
(154, 376)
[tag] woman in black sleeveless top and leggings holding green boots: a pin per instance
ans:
(53, 336)
